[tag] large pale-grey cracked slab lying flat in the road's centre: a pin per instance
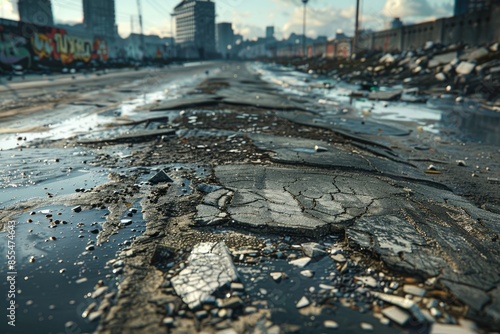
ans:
(282, 199)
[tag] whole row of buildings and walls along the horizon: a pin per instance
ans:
(198, 36)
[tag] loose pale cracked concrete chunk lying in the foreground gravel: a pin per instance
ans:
(209, 269)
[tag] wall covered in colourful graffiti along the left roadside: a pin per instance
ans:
(30, 46)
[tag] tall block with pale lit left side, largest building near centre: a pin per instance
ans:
(195, 27)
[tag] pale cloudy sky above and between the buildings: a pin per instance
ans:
(250, 17)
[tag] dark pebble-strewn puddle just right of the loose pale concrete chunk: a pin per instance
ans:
(283, 296)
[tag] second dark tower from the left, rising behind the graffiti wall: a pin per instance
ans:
(99, 18)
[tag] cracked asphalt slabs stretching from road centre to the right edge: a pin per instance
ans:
(412, 227)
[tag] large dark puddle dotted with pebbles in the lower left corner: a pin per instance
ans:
(53, 288)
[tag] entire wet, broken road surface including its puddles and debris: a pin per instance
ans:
(136, 193)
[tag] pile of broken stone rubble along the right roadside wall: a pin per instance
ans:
(434, 70)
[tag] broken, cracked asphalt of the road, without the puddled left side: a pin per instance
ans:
(279, 215)
